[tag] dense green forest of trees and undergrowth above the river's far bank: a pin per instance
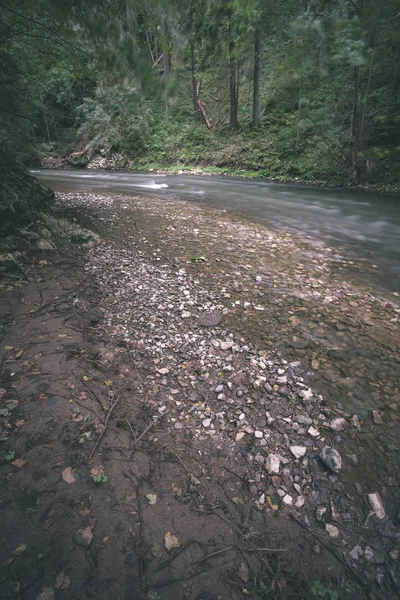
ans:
(288, 89)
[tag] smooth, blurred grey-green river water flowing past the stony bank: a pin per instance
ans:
(361, 226)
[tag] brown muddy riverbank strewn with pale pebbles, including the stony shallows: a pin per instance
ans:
(169, 384)
